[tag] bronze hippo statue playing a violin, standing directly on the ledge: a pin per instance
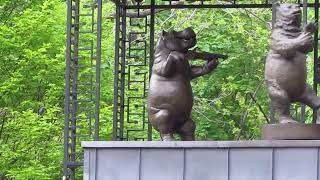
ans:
(170, 97)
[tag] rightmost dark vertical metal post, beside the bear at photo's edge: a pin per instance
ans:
(315, 50)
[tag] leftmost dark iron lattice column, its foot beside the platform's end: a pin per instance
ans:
(82, 92)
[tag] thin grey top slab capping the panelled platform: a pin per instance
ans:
(201, 144)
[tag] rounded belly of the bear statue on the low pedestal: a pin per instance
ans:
(289, 74)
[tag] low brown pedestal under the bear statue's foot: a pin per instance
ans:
(290, 132)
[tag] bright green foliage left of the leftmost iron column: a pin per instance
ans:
(31, 88)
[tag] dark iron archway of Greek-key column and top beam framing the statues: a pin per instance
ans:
(135, 10)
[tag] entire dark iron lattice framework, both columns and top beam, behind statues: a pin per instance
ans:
(134, 47)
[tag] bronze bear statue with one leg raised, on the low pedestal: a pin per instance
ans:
(286, 70)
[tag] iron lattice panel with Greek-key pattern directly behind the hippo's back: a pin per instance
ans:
(132, 61)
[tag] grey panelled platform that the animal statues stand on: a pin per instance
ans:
(202, 160)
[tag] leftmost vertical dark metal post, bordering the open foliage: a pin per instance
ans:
(67, 90)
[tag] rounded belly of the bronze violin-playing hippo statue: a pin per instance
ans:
(174, 91)
